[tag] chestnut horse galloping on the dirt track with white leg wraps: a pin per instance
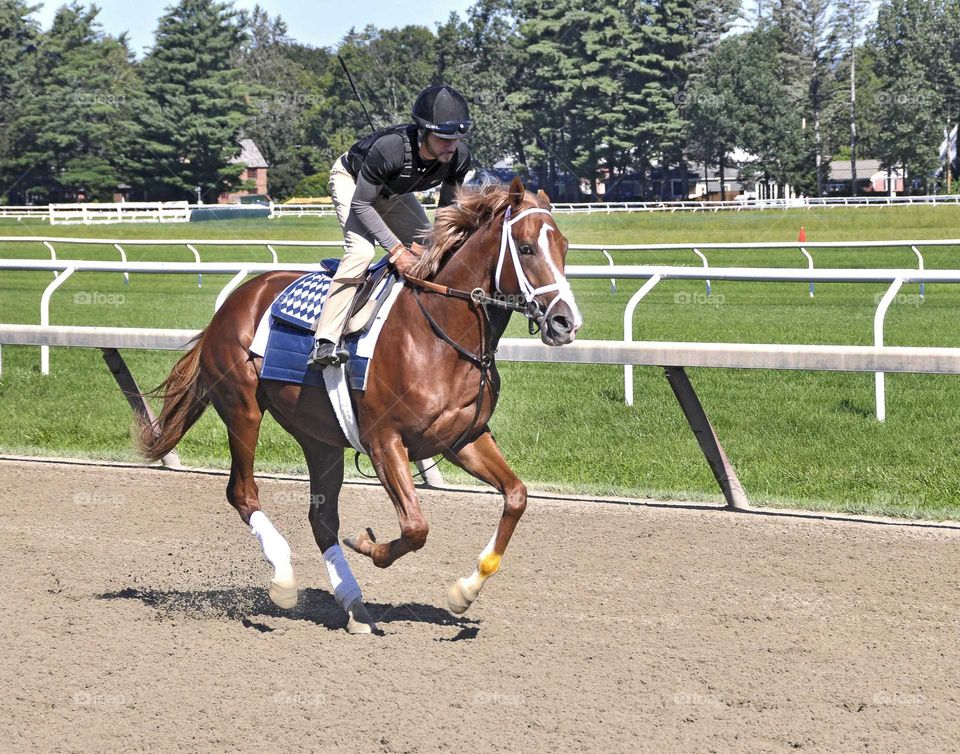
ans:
(431, 388)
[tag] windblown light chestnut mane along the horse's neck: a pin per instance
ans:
(455, 223)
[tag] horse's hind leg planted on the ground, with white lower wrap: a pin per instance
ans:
(325, 463)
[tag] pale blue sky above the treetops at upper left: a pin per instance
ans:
(320, 23)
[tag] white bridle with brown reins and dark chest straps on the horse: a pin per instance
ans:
(478, 297)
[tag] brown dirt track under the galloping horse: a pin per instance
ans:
(135, 617)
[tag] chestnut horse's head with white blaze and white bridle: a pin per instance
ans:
(530, 266)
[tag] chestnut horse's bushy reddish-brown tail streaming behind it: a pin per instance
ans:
(185, 398)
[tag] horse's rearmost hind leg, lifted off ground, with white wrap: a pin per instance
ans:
(242, 415)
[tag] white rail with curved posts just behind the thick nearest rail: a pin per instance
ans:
(652, 275)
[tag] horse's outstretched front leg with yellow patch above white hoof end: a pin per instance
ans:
(483, 459)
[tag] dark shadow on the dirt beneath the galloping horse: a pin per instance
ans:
(315, 606)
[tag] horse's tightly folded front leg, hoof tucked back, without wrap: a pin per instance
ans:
(392, 464)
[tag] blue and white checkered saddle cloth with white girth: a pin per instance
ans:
(285, 338)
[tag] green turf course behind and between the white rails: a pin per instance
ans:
(797, 439)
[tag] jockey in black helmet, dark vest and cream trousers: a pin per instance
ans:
(372, 187)
